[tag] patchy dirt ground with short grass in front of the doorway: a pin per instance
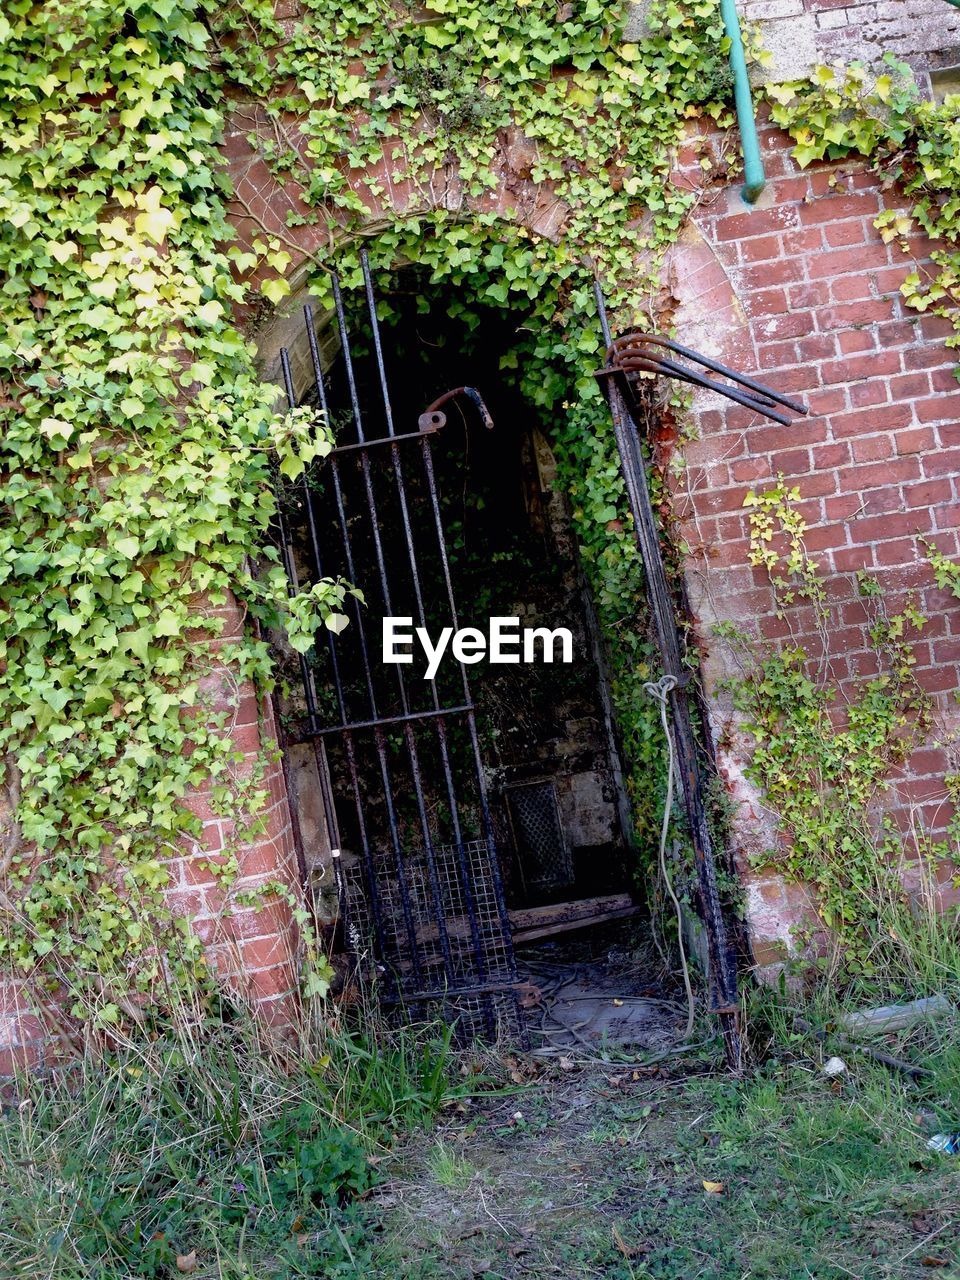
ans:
(619, 1173)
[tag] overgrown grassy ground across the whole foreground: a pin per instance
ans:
(360, 1155)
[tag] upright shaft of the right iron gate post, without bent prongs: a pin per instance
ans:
(634, 472)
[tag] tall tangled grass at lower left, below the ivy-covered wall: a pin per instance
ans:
(199, 1150)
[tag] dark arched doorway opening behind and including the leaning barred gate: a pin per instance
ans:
(484, 808)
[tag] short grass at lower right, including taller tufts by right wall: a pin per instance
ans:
(614, 1172)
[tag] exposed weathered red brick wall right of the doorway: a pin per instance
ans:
(803, 289)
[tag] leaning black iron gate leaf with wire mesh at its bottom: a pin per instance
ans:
(399, 756)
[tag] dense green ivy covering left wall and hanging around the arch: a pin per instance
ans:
(138, 438)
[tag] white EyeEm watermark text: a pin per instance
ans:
(505, 642)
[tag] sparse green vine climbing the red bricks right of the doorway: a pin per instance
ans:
(822, 760)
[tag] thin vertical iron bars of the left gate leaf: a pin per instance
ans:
(410, 719)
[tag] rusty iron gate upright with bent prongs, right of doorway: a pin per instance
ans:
(620, 392)
